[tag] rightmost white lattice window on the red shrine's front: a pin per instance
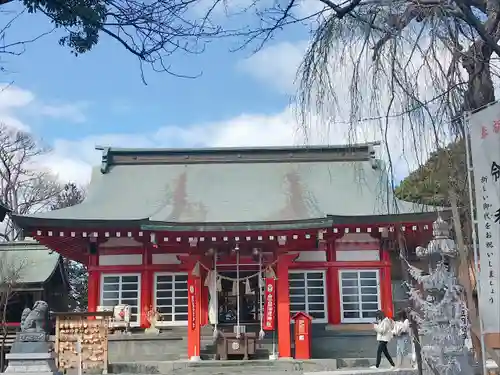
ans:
(360, 295)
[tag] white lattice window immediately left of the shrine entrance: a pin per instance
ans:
(171, 298)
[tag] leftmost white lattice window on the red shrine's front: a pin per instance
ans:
(122, 289)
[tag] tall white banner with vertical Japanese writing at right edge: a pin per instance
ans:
(485, 151)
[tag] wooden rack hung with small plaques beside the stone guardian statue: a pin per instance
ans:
(92, 334)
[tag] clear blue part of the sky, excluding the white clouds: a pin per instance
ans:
(107, 82)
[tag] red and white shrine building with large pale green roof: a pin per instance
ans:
(192, 233)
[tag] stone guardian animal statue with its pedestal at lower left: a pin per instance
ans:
(31, 352)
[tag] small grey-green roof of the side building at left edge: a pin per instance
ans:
(27, 262)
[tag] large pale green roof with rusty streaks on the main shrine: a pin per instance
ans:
(202, 187)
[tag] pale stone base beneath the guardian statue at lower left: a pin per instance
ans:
(30, 363)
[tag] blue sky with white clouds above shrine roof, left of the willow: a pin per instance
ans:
(74, 103)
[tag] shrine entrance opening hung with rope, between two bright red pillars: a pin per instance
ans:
(236, 282)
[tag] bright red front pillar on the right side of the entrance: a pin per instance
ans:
(283, 304)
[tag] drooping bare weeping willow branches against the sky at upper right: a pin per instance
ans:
(413, 68)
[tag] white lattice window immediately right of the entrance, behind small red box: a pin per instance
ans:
(307, 294)
